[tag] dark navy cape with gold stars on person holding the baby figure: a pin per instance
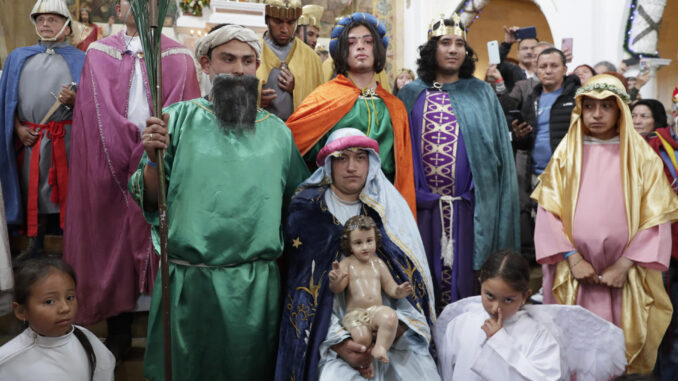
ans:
(312, 244)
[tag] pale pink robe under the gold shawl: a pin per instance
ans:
(600, 233)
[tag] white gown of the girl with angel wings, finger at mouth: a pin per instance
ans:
(521, 350)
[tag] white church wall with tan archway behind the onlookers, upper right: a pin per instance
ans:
(597, 28)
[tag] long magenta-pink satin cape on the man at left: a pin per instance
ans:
(106, 238)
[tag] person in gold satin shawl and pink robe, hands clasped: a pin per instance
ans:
(603, 232)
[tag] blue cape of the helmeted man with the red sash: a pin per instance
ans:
(9, 94)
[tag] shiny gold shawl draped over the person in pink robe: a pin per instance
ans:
(649, 201)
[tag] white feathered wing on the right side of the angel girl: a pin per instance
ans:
(590, 347)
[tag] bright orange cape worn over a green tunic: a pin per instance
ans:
(328, 103)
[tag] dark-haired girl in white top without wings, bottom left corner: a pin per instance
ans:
(51, 347)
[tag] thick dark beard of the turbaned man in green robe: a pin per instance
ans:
(235, 101)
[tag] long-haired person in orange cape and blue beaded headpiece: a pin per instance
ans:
(355, 98)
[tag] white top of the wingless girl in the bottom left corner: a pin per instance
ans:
(31, 357)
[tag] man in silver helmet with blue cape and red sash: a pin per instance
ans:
(34, 82)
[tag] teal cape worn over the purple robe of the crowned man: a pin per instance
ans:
(486, 136)
